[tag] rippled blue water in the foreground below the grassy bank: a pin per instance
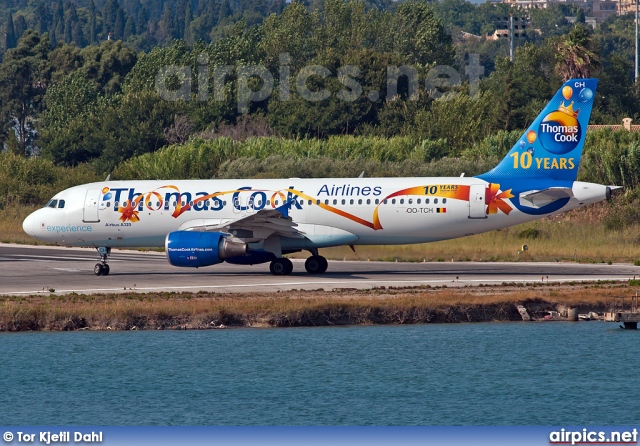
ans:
(439, 374)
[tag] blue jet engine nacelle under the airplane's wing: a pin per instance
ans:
(196, 248)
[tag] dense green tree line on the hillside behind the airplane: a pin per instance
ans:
(99, 103)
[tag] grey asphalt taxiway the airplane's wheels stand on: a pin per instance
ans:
(37, 269)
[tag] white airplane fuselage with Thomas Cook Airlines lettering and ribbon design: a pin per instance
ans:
(328, 212)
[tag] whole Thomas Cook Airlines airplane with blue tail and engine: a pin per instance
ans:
(205, 222)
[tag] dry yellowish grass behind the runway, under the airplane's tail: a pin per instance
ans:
(575, 236)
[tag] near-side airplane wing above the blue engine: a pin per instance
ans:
(254, 227)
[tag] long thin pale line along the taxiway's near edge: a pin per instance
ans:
(331, 282)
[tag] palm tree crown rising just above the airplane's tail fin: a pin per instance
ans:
(575, 57)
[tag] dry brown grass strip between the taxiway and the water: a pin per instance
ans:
(297, 308)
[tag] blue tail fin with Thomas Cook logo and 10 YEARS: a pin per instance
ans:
(552, 145)
